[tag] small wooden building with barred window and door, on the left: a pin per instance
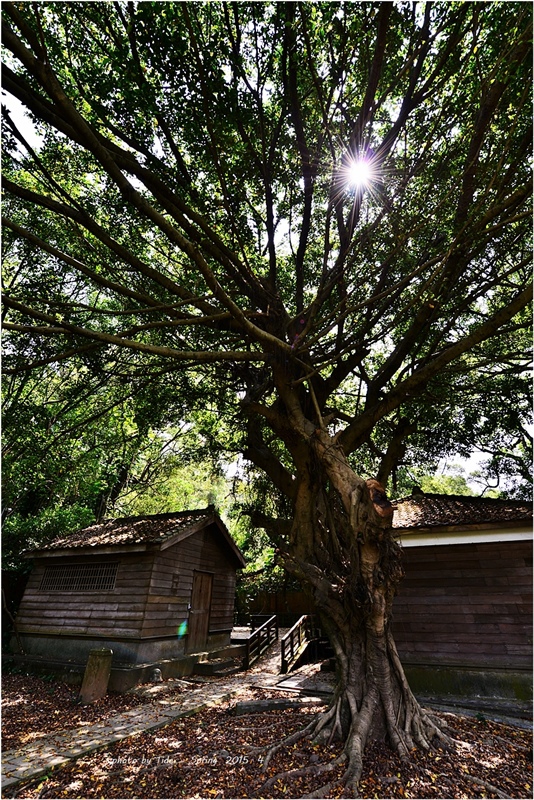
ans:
(150, 588)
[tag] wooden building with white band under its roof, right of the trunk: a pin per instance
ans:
(465, 604)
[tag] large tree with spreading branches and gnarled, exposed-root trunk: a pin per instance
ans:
(313, 214)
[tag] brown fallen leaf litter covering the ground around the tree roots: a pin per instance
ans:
(215, 754)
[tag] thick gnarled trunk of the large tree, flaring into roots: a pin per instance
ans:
(343, 548)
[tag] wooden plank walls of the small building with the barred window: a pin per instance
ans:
(151, 594)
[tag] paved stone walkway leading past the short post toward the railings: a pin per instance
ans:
(36, 758)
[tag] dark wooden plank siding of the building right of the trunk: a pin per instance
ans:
(466, 604)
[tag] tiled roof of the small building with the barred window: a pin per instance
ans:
(132, 530)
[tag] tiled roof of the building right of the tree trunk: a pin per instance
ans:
(433, 510)
